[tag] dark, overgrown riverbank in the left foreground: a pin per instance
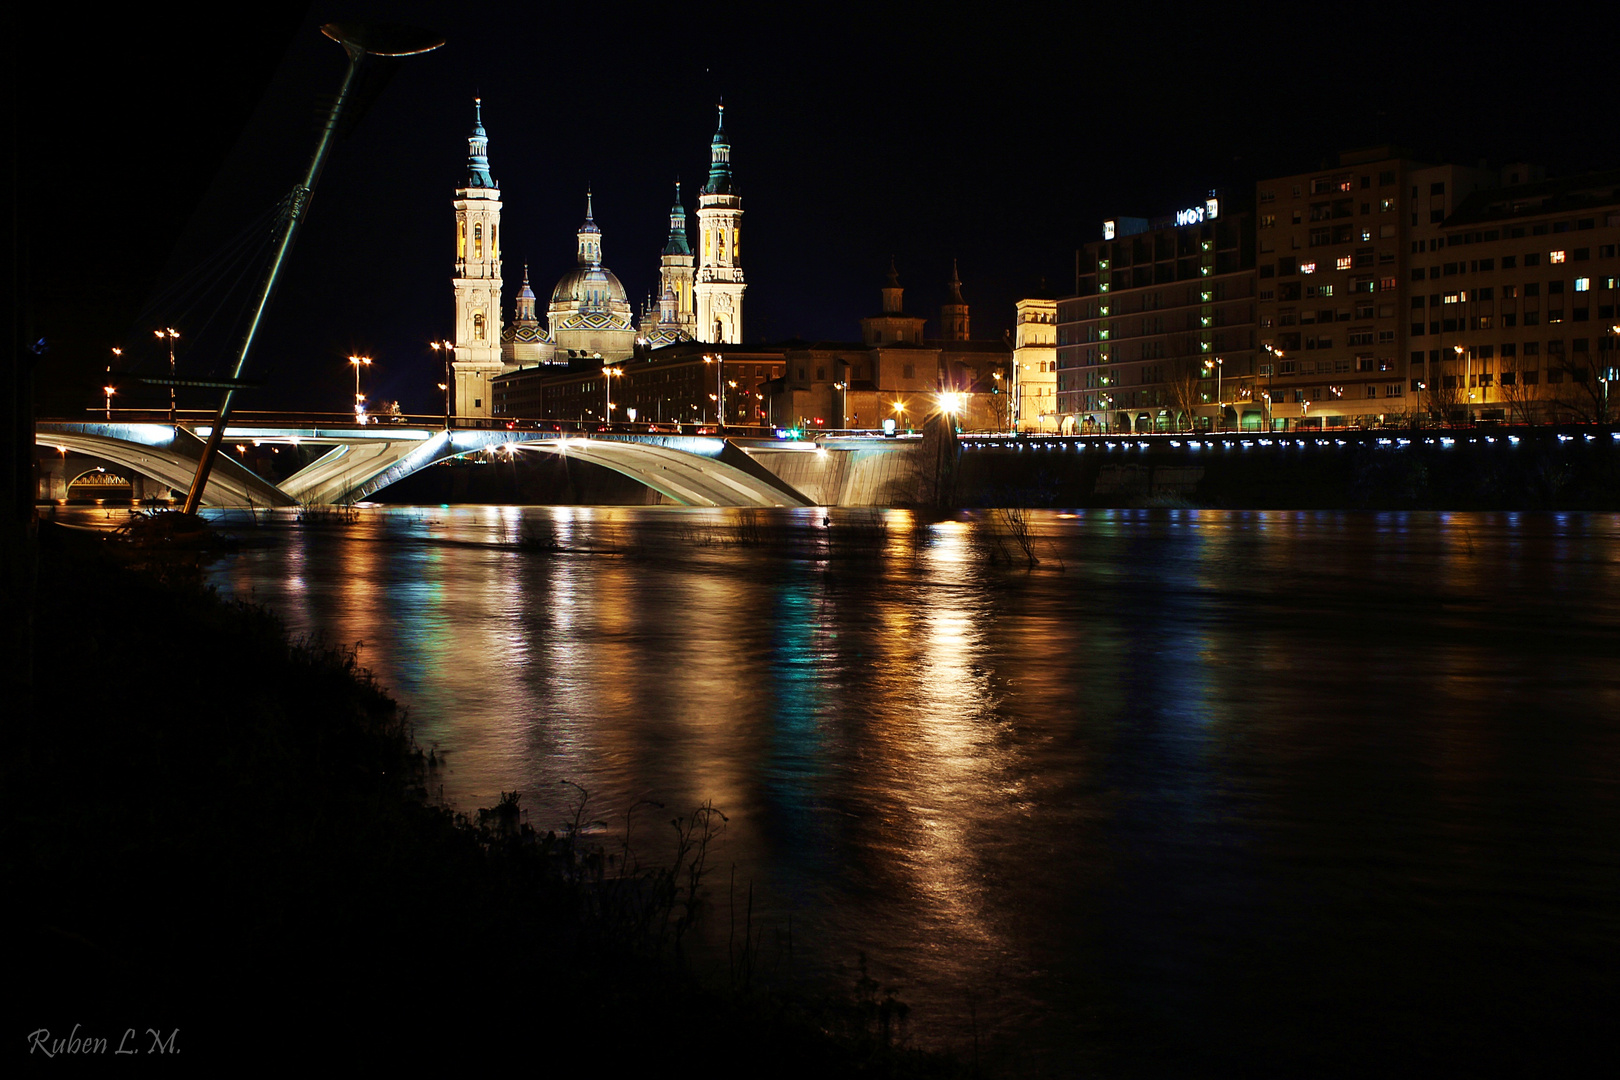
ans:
(218, 843)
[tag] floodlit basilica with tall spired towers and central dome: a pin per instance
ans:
(589, 317)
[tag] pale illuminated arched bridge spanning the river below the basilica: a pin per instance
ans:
(689, 470)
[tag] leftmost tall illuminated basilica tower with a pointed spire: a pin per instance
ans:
(477, 279)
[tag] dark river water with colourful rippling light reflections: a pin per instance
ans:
(1203, 793)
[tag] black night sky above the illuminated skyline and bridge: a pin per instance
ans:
(1002, 138)
